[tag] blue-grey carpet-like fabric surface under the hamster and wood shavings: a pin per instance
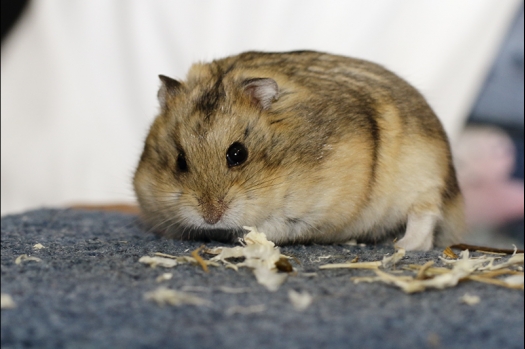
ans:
(88, 292)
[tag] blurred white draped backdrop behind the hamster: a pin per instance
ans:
(79, 78)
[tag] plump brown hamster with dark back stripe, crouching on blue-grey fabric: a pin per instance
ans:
(308, 147)
